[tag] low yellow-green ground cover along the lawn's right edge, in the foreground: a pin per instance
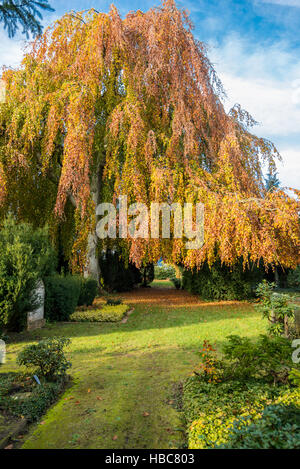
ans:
(212, 408)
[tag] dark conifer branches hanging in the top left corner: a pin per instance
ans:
(24, 13)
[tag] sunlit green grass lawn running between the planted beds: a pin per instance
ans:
(125, 374)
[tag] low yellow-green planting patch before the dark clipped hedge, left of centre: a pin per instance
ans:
(105, 314)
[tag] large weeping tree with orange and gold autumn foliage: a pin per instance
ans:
(103, 106)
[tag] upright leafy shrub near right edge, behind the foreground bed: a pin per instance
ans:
(275, 307)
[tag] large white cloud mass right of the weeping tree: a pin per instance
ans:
(266, 82)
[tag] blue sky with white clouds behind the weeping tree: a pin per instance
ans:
(255, 47)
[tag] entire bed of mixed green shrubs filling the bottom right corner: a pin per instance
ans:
(236, 401)
